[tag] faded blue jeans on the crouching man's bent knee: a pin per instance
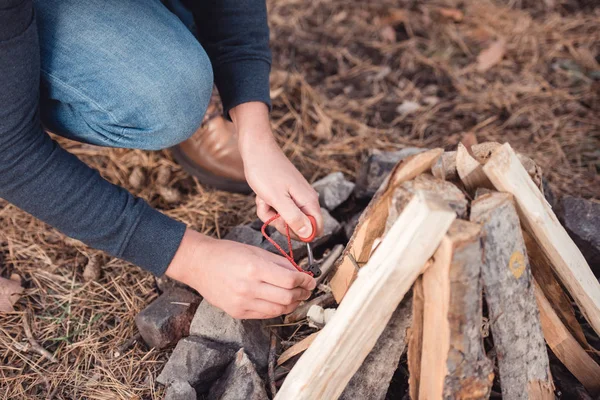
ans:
(120, 73)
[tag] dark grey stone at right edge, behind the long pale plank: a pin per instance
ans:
(581, 219)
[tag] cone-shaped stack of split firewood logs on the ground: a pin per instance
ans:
(446, 233)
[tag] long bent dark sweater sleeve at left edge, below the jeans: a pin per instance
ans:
(40, 177)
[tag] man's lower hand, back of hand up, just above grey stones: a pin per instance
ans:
(244, 281)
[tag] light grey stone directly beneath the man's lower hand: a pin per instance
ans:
(253, 335)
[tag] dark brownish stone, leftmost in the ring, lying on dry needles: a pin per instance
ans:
(167, 319)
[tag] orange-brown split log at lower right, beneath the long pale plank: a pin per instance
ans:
(566, 348)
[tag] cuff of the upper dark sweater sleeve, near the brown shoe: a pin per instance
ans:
(243, 81)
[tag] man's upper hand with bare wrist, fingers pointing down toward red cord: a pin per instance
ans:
(279, 186)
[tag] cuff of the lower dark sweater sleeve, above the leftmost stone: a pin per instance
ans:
(154, 241)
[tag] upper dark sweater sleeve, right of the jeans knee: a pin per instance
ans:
(235, 35)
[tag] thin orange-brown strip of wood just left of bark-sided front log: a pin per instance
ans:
(415, 342)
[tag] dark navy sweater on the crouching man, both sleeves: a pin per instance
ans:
(40, 177)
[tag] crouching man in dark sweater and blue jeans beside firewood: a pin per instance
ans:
(129, 74)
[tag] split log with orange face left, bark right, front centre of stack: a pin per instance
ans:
(453, 361)
